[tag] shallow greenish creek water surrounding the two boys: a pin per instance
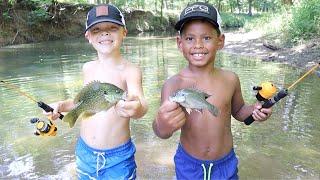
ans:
(285, 147)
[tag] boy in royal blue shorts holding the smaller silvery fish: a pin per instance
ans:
(206, 149)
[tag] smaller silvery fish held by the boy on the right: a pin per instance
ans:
(193, 99)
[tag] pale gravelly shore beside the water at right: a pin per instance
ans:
(252, 44)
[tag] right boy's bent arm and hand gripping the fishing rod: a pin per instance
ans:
(241, 111)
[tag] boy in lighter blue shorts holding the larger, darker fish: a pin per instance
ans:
(104, 149)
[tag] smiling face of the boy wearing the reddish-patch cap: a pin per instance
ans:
(106, 37)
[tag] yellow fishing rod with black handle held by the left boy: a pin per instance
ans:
(41, 104)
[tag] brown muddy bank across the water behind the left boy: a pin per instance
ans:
(30, 24)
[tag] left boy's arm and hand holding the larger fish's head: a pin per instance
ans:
(135, 105)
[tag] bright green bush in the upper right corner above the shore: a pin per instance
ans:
(305, 20)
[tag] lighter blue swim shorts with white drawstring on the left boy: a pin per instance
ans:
(116, 163)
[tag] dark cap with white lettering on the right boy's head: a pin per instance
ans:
(199, 10)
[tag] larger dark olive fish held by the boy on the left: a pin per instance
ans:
(93, 98)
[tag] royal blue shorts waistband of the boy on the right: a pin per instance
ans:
(228, 156)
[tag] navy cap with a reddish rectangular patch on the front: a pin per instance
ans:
(104, 13)
